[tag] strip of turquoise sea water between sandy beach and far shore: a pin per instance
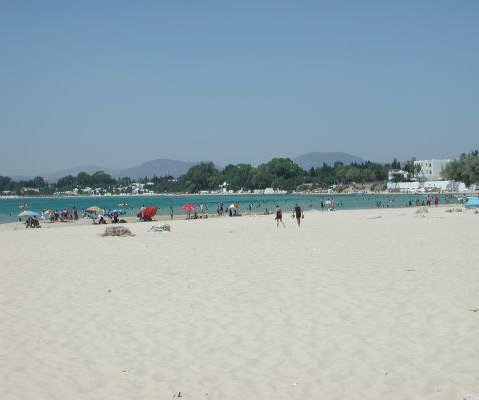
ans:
(10, 208)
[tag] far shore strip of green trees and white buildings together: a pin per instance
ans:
(279, 176)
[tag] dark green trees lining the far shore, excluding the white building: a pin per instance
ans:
(278, 173)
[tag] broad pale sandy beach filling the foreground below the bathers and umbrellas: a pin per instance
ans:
(348, 307)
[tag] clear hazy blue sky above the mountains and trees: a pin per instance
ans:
(116, 83)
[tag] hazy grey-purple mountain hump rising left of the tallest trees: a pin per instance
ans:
(159, 167)
